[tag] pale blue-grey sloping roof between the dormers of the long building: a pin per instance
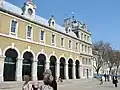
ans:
(17, 10)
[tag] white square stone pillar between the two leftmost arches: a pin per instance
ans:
(19, 69)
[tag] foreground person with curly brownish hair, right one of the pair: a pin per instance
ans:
(47, 80)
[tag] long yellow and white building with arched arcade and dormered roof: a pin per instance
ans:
(30, 44)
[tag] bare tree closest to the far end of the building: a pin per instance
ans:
(98, 52)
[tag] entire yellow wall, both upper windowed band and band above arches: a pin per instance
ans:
(22, 45)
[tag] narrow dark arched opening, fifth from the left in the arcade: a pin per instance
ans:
(62, 67)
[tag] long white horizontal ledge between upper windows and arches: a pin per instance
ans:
(29, 41)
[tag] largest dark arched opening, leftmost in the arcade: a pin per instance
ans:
(11, 56)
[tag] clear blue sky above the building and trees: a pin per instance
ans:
(101, 16)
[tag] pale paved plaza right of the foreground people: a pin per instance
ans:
(89, 85)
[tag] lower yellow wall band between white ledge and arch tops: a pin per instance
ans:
(36, 48)
